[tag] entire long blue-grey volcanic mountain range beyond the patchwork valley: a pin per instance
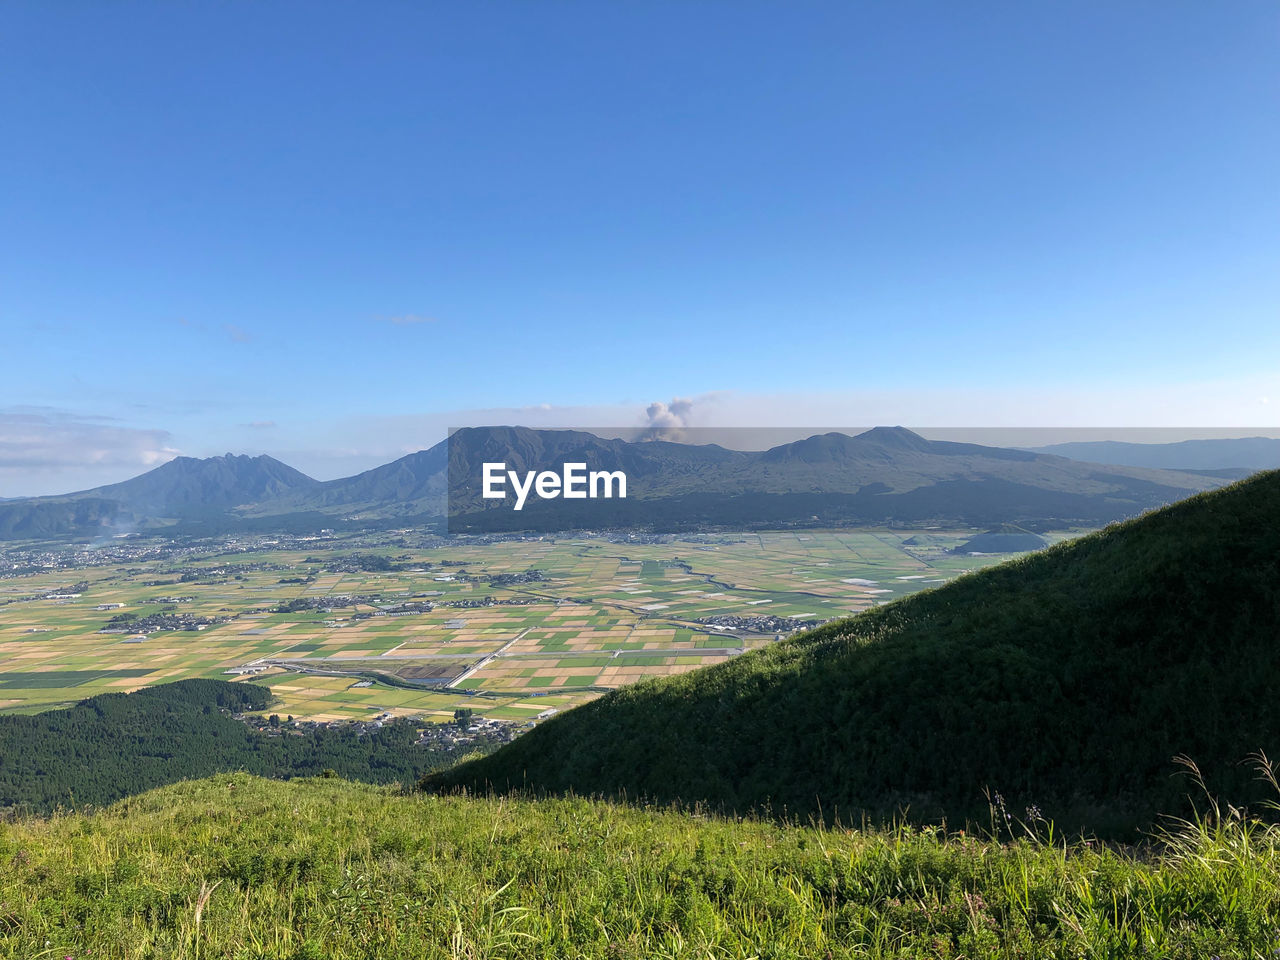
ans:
(885, 474)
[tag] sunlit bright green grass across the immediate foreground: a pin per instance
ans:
(252, 870)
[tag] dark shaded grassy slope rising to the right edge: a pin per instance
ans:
(1067, 680)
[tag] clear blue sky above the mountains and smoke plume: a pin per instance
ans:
(327, 232)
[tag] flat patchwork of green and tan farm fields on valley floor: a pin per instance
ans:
(511, 629)
